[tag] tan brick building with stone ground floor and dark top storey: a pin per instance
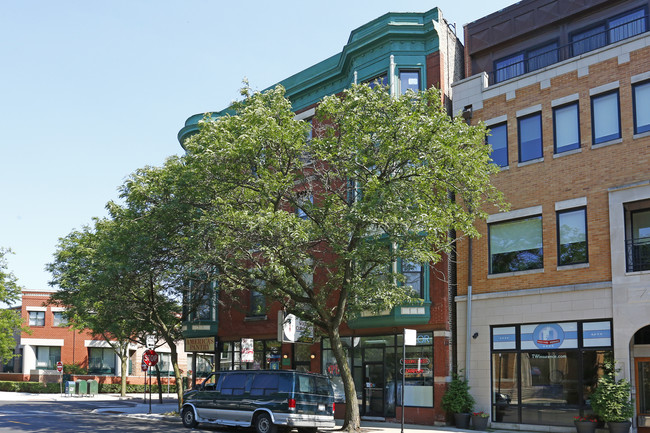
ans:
(561, 279)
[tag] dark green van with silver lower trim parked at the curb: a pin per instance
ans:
(268, 400)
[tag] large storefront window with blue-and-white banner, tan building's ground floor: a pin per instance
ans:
(532, 385)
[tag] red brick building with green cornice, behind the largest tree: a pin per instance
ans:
(403, 51)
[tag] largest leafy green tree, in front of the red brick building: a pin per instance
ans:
(323, 221)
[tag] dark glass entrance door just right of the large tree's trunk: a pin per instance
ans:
(374, 382)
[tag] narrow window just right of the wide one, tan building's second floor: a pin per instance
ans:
(572, 237)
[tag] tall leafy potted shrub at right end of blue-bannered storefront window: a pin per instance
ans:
(611, 401)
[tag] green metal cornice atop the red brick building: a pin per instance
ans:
(409, 36)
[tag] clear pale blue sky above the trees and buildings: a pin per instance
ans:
(92, 90)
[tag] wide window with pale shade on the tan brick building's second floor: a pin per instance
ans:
(516, 245)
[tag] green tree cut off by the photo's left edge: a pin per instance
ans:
(10, 321)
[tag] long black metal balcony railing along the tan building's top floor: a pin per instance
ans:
(585, 42)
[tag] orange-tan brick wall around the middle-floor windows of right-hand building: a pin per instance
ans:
(588, 173)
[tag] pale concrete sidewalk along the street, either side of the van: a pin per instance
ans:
(138, 409)
